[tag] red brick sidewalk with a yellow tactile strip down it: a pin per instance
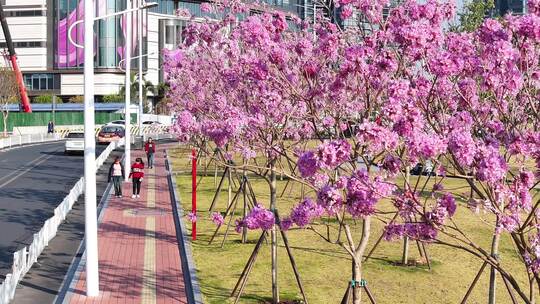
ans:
(138, 250)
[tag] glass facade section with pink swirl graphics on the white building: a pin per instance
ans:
(109, 40)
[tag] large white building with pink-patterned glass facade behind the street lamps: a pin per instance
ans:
(52, 65)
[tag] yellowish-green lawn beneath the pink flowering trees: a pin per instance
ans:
(325, 268)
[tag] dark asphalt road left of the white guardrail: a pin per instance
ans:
(33, 181)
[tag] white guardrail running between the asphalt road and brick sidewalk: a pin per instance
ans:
(26, 257)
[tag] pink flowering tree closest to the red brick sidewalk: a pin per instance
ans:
(240, 85)
